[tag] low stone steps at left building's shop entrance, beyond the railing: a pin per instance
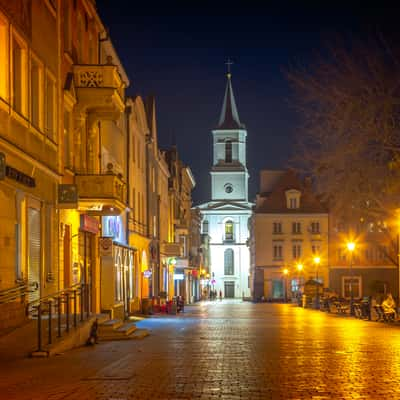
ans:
(118, 330)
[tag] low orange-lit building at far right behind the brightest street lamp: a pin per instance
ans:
(371, 269)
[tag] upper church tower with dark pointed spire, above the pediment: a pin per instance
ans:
(229, 176)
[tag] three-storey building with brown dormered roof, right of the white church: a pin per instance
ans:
(289, 244)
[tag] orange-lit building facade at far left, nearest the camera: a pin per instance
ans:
(30, 150)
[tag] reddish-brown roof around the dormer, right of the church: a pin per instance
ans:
(274, 201)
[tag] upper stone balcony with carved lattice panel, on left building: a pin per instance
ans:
(99, 89)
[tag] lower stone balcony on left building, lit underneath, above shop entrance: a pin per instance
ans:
(101, 194)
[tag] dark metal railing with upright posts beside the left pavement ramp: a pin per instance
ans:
(60, 312)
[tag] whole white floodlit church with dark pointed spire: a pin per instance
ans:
(226, 216)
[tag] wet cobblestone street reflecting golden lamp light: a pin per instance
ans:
(224, 350)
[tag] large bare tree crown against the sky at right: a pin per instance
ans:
(350, 140)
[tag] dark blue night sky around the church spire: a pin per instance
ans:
(179, 56)
